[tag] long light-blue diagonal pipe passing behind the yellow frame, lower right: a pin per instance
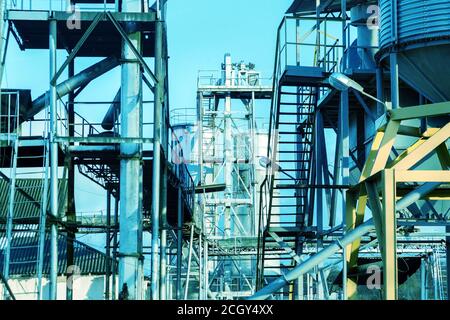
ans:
(348, 239)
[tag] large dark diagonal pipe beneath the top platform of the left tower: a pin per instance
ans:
(73, 83)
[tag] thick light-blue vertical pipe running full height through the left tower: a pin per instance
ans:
(130, 244)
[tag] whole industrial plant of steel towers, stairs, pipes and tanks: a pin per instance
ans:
(327, 178)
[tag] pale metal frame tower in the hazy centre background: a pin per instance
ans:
(227, 159)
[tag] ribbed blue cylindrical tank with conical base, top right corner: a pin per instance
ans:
(419, 31)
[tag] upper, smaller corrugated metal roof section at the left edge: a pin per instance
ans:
(26, 208)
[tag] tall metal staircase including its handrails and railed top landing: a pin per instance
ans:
(287, 193)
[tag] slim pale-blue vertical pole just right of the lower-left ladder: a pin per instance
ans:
(53, 163)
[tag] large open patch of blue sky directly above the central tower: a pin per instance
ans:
(202, 31)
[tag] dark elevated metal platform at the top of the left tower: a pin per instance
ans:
(31, 30)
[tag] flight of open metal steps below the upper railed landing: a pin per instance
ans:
(289, 215)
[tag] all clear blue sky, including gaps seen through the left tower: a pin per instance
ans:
(200, 32)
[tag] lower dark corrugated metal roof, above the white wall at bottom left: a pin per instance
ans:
(24, 255)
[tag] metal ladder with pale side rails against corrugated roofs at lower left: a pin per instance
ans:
(27, 192)
